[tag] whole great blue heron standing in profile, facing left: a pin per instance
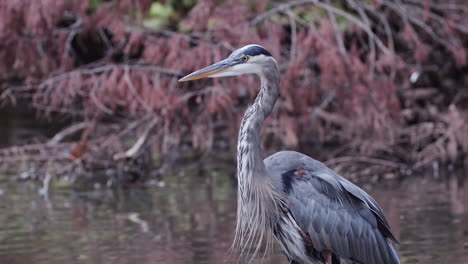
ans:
(316, 215)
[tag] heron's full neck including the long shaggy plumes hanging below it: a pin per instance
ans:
(257, 199)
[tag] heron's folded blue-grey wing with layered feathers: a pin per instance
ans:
(336, 214)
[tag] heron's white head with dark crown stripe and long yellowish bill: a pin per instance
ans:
(248, 59)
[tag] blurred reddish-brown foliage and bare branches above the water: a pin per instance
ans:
(343, 87)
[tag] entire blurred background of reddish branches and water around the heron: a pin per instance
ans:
(106, 158)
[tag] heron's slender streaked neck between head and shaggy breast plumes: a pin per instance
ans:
(249, 155)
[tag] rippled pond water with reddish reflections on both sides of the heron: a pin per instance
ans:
(191, 220)
